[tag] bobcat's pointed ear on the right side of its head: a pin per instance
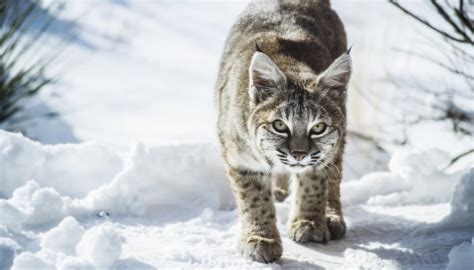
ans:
(337, 75)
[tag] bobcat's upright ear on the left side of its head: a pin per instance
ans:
(264, 77)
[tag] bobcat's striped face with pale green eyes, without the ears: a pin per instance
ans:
(299, 132)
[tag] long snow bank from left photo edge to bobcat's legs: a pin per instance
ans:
(185, 177)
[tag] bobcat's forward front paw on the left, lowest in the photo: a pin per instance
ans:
(261, 249)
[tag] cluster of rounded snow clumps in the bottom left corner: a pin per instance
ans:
(69, 246)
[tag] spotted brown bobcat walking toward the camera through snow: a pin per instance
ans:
(281, 94)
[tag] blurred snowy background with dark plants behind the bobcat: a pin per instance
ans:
(121, 71)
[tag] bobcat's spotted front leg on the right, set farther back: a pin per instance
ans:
(307, 221)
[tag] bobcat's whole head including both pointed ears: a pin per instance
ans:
(297, 124)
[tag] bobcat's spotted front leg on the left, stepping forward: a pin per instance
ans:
(260, 239)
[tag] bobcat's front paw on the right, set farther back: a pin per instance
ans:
(304, 231)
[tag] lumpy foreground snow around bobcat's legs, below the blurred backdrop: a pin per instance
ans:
(171, 206)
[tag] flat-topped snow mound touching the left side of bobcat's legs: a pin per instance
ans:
(183, 176)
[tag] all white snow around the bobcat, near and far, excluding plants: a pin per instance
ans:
(137, 71)
